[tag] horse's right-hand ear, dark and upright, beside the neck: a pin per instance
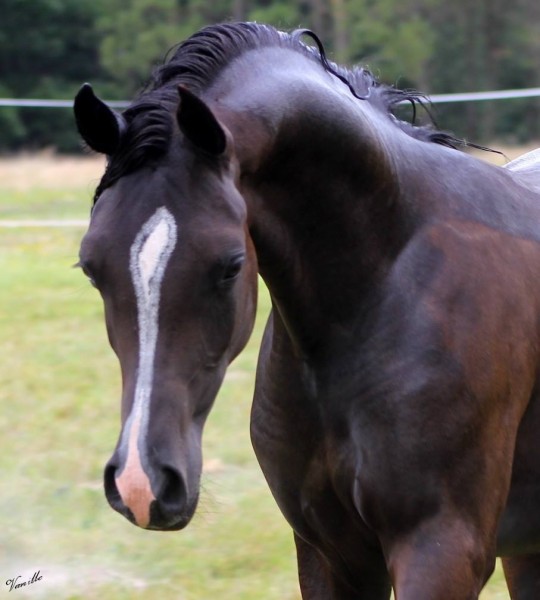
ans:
(198, 123)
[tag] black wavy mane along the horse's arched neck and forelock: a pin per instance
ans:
(197, 62)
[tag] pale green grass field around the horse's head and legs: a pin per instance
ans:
(59, 392)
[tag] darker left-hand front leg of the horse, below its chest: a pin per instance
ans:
(319, 582)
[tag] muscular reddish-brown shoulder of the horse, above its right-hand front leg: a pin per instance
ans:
(426, 422)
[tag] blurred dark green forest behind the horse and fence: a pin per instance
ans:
(49, 47)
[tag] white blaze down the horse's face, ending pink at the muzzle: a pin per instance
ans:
(149, 256)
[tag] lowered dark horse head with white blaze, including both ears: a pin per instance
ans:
(169, 251)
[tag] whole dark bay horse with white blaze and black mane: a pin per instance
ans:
(396, 414)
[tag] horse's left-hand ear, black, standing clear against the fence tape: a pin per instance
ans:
(100, 127)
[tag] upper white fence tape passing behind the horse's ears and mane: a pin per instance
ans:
(435, 99)
